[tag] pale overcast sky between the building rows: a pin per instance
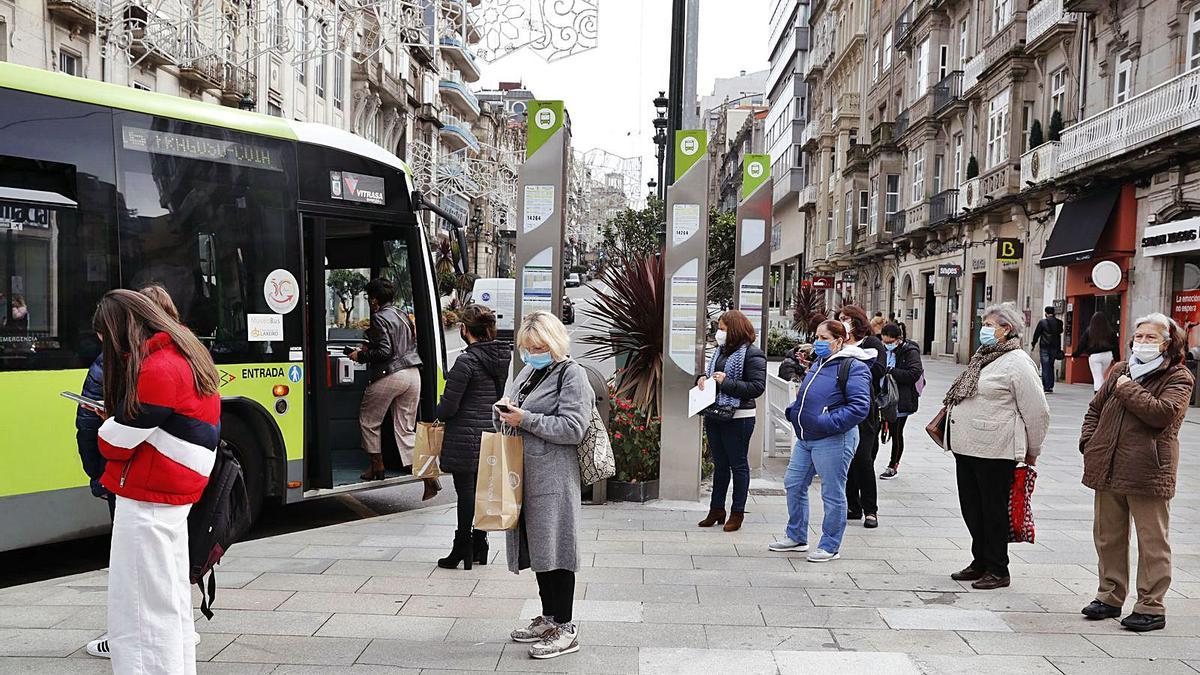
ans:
(609, 91)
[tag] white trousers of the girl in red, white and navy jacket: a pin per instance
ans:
(151, 625)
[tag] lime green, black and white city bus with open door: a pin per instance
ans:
(256, 225)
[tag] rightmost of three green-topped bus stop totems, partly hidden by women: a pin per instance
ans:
(752, 265)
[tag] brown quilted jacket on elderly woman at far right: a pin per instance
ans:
(1131, 435)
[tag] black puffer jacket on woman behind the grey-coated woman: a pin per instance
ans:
(473, 386)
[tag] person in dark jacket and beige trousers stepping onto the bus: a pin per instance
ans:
(394, 381)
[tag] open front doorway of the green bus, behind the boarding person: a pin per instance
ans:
(343, 256)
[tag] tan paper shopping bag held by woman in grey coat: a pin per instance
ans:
(499, 488)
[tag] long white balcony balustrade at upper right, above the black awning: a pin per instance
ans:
(1148, 118)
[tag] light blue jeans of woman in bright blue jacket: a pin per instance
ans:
(829, 458)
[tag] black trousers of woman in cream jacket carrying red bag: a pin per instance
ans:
(985, 489)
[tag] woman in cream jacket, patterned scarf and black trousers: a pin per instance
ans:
(997, 416)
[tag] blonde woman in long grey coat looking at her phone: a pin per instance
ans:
(550, 405)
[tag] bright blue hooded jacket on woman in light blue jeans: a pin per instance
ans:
(821, 410)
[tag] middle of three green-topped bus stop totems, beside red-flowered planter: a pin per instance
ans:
(686, 262)
